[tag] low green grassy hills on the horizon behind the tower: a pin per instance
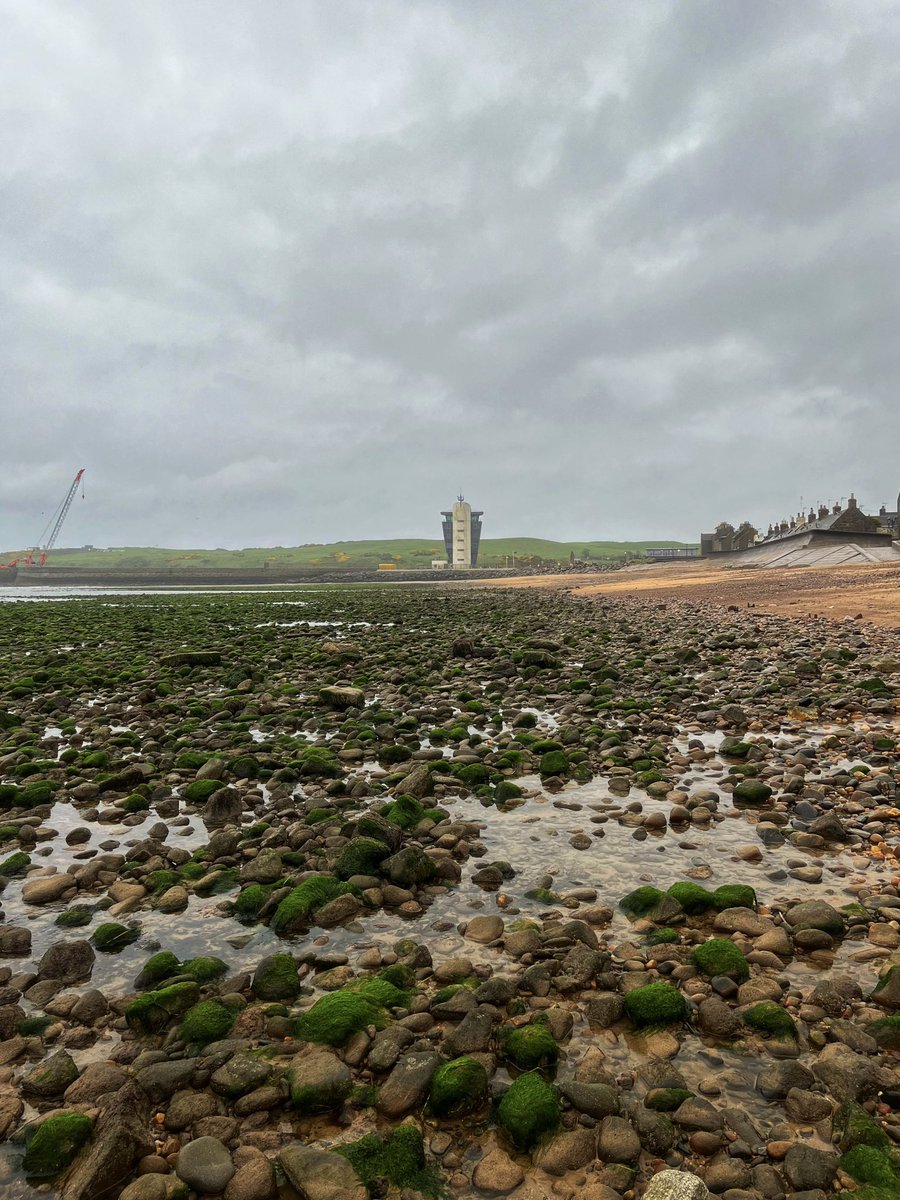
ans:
(406, 553)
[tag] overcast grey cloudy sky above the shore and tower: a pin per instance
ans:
(290, 272)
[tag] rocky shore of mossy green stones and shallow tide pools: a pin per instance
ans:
(428, 891)
